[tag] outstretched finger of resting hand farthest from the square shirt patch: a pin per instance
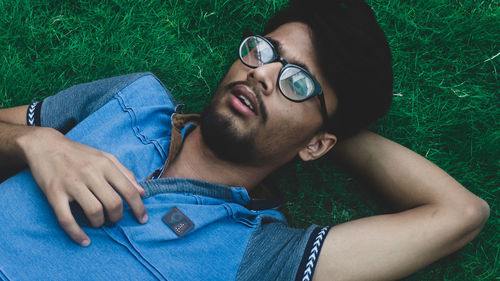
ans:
(68, 223)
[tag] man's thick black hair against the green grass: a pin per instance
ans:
(353, 56)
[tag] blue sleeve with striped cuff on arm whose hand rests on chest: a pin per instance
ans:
(67, 108)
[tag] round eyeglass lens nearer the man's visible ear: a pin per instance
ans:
(296, 84)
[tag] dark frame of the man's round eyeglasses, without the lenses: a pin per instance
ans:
(318, 91)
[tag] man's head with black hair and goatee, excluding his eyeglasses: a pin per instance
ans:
(274, 128)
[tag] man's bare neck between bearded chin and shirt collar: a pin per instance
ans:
(197, 161)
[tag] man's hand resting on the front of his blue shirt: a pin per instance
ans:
(66, 170)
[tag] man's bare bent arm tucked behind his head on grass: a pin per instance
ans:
(438, 215)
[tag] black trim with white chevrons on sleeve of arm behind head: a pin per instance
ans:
(311, 254)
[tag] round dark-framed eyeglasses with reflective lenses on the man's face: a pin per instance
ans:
(295, 82)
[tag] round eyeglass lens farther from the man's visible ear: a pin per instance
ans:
(255, 52)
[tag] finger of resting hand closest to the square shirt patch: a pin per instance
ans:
(130, 194)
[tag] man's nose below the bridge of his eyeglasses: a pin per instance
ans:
(266, 76)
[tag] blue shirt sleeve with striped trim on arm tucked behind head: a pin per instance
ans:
(278, 252)
